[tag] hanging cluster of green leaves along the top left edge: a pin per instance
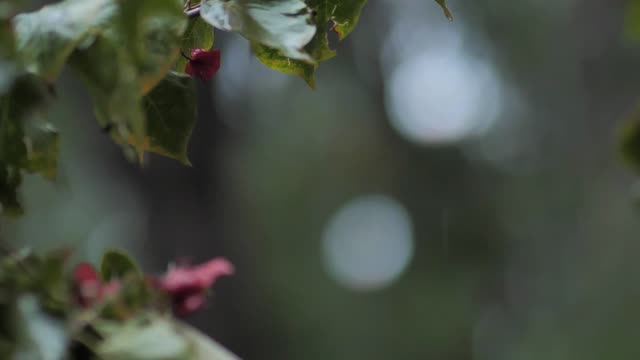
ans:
(128, 54)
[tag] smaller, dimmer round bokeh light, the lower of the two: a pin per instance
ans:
(368, 243)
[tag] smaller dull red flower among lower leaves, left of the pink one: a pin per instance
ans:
(89, 289)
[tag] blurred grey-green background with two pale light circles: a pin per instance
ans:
(450, 191)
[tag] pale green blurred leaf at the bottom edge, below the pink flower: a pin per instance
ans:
(145, 338)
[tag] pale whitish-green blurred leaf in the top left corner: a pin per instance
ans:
(46, 38)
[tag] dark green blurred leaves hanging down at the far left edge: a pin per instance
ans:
(27, 141)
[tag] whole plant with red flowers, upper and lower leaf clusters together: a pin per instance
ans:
(140, 61)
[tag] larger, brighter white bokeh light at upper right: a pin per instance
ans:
(437, 98)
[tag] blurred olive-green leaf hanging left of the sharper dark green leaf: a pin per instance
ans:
(119, 76)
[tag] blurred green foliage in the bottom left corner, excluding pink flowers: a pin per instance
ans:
(42, 318)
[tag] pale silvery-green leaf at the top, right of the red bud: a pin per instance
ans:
(285, 25)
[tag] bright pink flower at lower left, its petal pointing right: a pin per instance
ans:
(187, 285)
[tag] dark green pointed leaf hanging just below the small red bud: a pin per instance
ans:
(171, 114)
